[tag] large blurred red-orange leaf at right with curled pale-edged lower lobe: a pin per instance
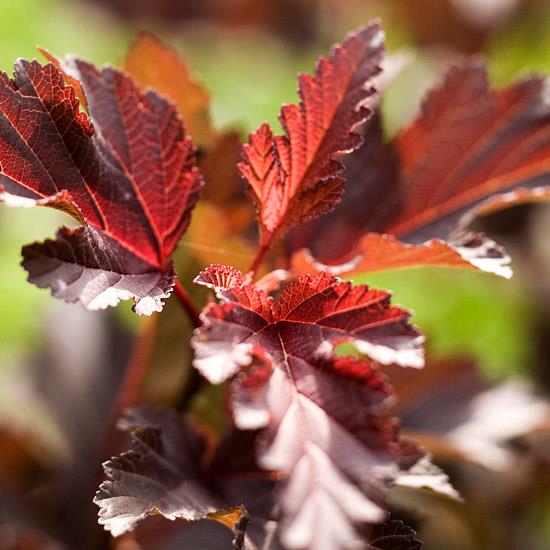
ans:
(472, 151)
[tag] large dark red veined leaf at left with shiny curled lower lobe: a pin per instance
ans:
(128, 174)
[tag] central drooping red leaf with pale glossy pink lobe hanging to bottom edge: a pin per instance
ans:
(323, 417)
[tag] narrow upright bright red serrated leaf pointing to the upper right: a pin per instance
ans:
(296, 176)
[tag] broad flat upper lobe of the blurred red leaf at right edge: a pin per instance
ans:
(469, 144)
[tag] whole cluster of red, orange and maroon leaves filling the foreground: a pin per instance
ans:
(312, 447)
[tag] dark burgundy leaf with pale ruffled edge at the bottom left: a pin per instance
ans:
(159, 474)
